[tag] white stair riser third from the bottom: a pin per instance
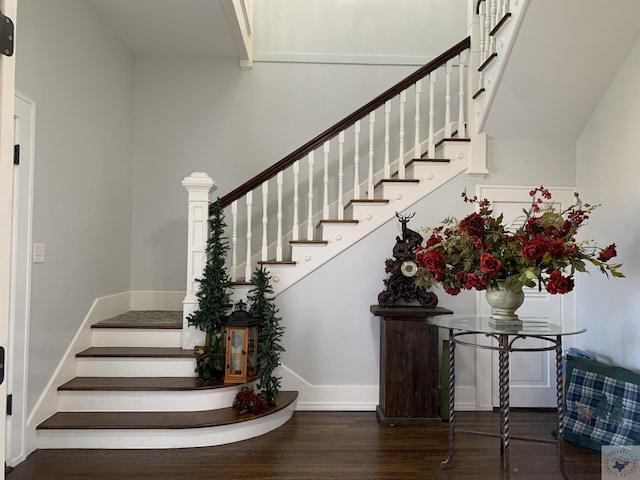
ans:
(135, 367)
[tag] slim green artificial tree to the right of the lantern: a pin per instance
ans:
(269, 333)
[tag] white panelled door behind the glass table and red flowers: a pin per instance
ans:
(532, 374)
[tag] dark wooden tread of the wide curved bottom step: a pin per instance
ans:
(158, 420)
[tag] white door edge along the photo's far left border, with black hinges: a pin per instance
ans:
(7, 89)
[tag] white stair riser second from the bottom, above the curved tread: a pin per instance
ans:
(147, 401)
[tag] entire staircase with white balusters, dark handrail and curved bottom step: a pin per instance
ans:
(135, 386)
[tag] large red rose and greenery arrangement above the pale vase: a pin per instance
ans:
(479, 251)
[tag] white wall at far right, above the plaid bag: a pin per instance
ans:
(608, 172)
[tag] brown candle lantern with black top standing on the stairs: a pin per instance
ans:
(241, 345)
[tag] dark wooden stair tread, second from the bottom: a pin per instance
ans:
(134, 384)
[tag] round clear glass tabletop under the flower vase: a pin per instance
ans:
(531, 327)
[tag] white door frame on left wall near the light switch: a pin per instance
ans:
(16, 374)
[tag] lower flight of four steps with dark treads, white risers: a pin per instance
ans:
(154, 402)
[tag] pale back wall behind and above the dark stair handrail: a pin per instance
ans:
(209, 115)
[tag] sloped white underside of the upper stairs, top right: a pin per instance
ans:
(565, 57)
